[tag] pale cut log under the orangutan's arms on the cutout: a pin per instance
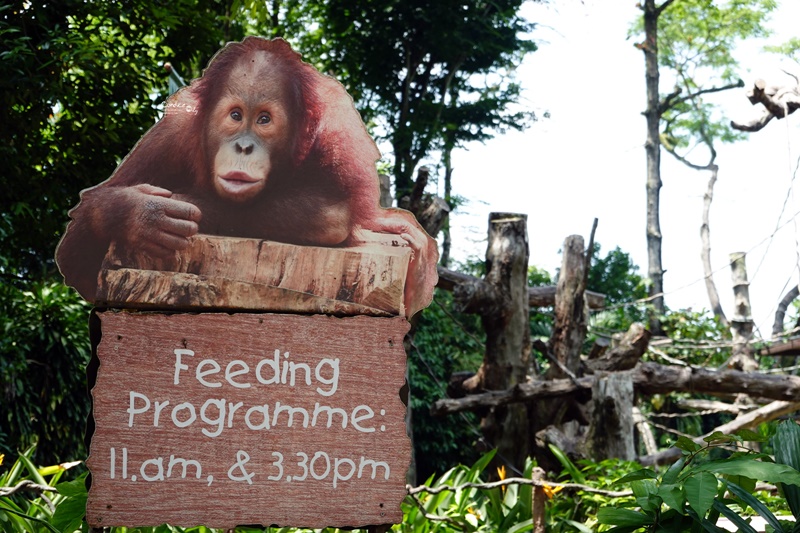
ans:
(227, 273)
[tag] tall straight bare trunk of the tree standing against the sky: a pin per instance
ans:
(655, 270)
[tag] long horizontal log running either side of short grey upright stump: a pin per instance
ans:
(648, 378)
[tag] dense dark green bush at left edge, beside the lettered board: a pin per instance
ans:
(44, 349)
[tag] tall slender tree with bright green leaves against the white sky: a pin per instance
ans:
(694, 41)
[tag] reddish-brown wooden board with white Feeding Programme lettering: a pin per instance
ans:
(226, 420)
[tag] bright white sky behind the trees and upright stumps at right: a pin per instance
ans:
(587, 161)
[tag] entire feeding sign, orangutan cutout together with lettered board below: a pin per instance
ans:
(257, 191)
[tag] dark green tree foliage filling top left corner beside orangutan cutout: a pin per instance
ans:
(77, 86)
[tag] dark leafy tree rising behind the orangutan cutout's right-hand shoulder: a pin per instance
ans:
(423, 69)
